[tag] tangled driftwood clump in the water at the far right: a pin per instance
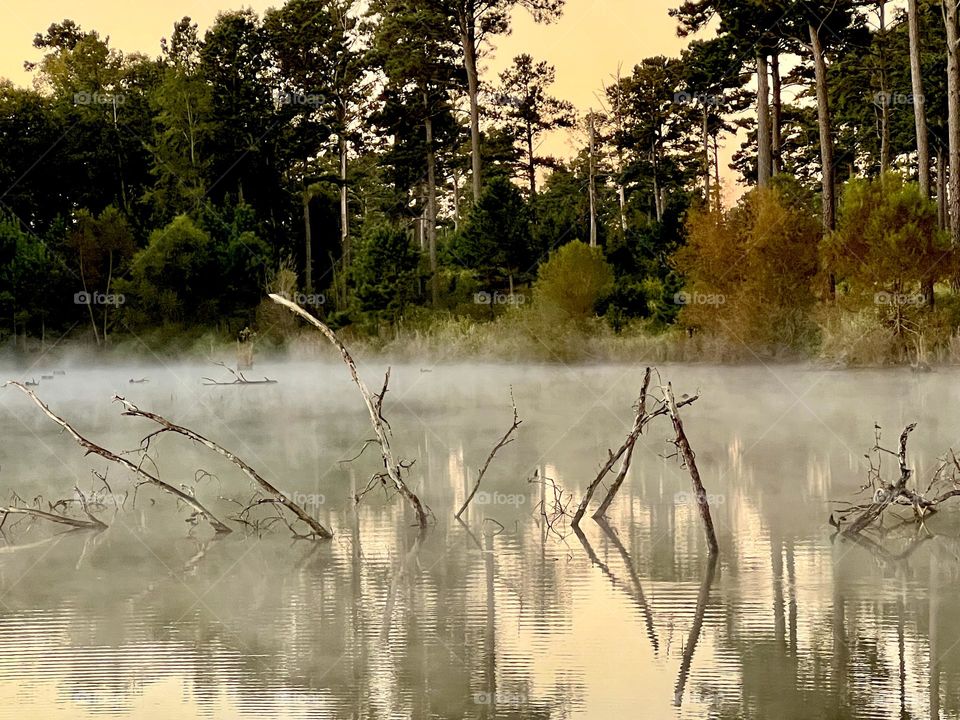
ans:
(852, 519)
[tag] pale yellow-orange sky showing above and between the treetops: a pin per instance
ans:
(586, 45)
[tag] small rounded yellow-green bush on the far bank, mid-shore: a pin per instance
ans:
(572, 281)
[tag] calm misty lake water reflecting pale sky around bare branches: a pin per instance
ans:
(496, 619)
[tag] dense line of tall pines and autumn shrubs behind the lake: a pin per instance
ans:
(357, 155)
